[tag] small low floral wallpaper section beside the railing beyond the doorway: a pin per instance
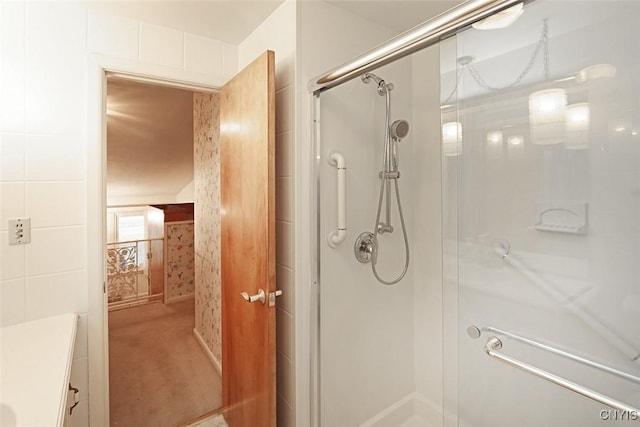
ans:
(180, 260)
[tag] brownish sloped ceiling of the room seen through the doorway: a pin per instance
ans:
(149, 142)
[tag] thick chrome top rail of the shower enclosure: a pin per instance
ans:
(413, 40)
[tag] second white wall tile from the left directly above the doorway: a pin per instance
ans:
(161, 45)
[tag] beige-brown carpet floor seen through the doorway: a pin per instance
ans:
(158, 374)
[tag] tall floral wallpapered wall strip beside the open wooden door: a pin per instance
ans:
(206, 131)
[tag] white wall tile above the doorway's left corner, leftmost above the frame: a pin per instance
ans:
(113, 35)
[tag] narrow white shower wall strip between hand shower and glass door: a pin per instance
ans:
(427, 238)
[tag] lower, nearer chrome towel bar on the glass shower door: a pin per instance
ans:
(494, 344)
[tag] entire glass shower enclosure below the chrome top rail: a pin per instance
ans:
(519, 181)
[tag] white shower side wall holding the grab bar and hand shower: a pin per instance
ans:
(366, 328)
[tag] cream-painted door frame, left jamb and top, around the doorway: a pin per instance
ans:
(97, 321)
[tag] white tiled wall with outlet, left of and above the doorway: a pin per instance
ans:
(43, 167)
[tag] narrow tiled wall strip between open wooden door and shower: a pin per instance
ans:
(278, 33)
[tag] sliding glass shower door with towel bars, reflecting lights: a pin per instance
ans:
(541, 182)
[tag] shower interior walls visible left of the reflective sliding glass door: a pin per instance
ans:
(380, 352)
